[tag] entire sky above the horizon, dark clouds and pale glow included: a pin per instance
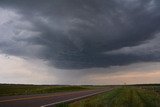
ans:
(79, 41)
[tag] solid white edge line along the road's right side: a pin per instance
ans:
(73, 99)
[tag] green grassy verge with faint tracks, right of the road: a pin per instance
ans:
(121, 97)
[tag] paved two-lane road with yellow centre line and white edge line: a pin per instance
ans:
(46, 100)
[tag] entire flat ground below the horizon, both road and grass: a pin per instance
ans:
(79, 96)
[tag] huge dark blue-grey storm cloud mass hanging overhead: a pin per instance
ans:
(77, 33)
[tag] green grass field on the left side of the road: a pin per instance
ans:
(13, 89)
